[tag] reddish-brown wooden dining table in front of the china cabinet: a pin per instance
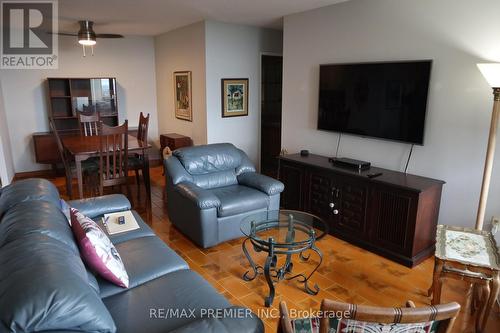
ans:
(83, 147)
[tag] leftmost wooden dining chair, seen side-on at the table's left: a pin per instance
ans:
(88, 167)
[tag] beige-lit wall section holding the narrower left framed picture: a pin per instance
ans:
(182, 49)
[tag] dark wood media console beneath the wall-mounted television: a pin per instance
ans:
(394, 215)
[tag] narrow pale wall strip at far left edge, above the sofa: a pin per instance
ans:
(6, 164)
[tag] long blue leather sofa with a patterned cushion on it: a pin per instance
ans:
(45, 286)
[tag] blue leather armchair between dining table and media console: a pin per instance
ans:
(211, 188)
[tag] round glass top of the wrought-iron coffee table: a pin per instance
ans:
(284, 226)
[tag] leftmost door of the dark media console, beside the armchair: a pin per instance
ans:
(293, 178)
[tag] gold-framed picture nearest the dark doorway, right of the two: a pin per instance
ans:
(234, 97)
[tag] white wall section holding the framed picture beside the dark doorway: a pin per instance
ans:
(234, 51)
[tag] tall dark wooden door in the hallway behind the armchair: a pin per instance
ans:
(271, 84)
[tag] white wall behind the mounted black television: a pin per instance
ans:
(456, 34)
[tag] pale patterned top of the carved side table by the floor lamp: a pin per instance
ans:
(467, 246)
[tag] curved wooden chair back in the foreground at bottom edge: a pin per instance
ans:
(345, 317)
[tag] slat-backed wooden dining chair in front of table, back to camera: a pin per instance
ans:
(113, 156)
